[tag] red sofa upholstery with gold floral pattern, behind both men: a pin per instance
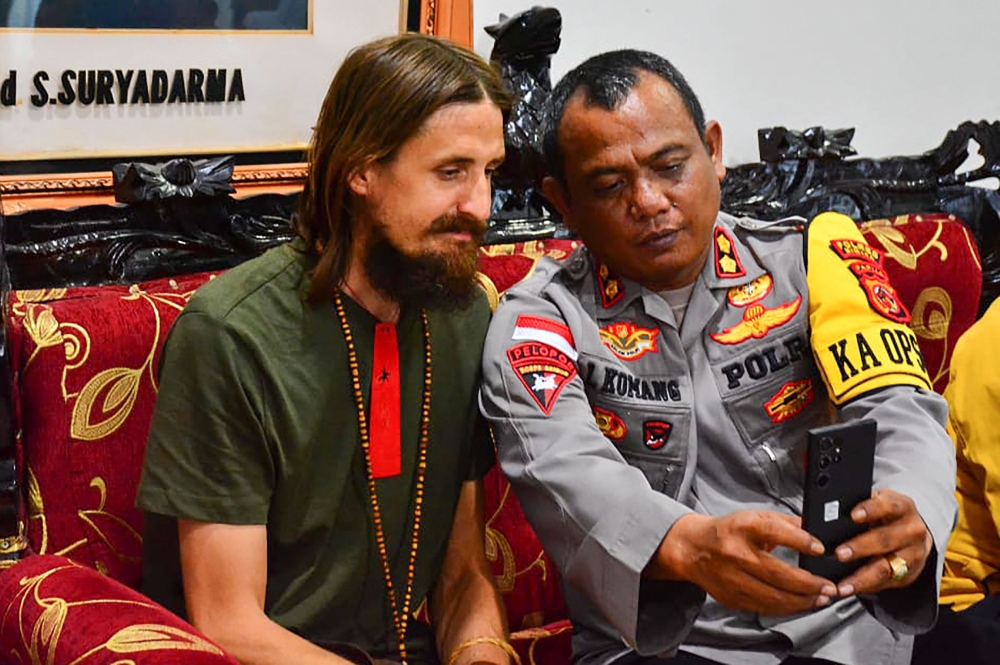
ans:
(84, 361)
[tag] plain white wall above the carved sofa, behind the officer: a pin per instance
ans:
(903, 72)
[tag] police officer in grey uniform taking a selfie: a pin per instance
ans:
(651, 396)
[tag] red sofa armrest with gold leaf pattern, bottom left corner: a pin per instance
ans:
(53, 610)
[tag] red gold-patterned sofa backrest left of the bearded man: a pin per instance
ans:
(84, 362)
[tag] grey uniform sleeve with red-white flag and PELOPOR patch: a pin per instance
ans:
(597, 516)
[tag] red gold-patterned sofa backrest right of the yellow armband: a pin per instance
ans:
(934, 264)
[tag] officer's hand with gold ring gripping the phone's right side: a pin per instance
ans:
(897, 530)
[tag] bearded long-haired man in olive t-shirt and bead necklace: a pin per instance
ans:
(314, 462)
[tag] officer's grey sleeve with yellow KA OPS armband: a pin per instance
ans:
(871, 363)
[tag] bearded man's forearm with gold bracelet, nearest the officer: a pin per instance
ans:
(465, 608)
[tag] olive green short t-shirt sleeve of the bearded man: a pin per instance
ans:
(207, 457)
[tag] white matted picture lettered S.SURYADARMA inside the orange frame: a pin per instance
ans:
(142, 78)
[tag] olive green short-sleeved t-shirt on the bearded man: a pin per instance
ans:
(256, 423)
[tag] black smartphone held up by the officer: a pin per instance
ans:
(840, 460)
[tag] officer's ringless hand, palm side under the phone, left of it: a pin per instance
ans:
(729, 557)
